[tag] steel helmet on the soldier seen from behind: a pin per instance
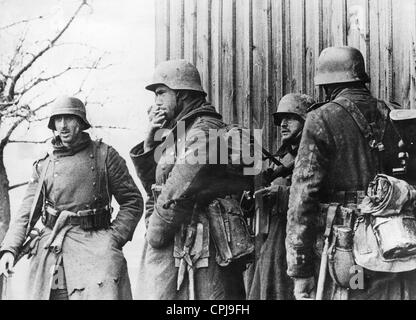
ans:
(340, 65)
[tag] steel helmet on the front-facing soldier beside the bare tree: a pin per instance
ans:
(68, 105)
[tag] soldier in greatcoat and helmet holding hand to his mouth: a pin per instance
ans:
(177, 264)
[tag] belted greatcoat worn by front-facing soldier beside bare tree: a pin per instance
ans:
(94, 264)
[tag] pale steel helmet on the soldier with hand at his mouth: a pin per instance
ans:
(177, 75)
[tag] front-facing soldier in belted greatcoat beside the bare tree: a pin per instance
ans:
(78, 252)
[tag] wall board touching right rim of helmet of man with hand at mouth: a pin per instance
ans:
(203, 43)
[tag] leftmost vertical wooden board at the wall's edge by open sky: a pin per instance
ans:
(162, 33)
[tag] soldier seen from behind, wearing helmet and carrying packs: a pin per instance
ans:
(346, 141)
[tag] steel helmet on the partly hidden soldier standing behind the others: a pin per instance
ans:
(293, 103)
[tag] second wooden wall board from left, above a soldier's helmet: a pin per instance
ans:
(176, 29)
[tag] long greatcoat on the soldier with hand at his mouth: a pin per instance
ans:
(175, 205)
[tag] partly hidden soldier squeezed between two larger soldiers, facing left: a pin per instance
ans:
(270, 281)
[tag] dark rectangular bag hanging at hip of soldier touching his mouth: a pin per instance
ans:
(229, 231)
